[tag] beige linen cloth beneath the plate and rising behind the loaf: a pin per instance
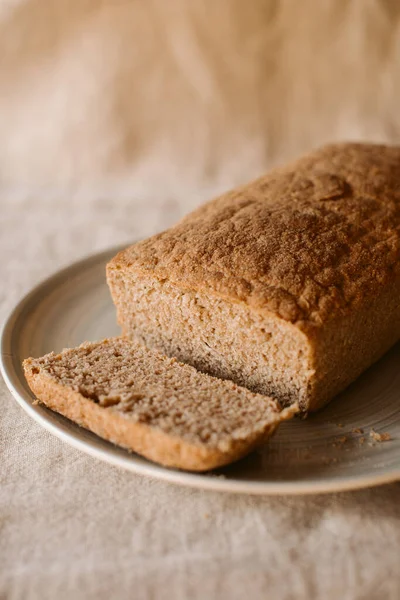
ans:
(116, 117)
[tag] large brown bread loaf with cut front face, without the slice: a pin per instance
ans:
(289, 286)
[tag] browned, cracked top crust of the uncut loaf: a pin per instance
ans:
(305, 242)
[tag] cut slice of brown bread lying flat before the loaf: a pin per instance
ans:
(153, 405)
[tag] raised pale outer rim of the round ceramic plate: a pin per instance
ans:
(74, 438)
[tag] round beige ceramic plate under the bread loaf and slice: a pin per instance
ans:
(334, 450)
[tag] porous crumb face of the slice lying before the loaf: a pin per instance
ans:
(147, 387)
